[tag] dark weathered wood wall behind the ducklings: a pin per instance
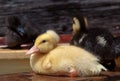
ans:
(57, 14)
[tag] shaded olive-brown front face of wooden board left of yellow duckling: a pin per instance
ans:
(8, 66)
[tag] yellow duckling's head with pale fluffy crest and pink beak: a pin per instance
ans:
(45, 43)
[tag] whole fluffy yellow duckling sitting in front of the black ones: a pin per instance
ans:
(50, 58)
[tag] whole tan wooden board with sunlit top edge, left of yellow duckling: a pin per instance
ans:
(14, 61)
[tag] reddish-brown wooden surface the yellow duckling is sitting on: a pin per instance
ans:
(30, 76)
